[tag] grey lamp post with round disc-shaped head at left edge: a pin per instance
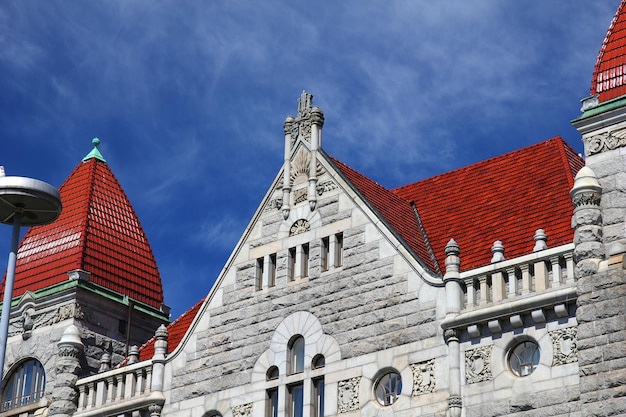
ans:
(28, 202)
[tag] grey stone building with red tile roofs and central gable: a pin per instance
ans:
(495, 289)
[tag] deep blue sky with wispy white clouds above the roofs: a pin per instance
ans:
(189, 98)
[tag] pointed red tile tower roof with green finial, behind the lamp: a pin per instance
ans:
(98, 231)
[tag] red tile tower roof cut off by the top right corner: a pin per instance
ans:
(609, 74)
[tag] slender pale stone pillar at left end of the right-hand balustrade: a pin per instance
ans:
(454, 304)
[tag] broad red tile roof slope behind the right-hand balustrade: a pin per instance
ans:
(504, 198)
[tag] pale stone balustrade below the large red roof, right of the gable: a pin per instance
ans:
(517, 278)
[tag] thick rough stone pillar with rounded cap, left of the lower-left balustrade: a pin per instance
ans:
(67, 369)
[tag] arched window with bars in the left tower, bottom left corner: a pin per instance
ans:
(25, 385)
